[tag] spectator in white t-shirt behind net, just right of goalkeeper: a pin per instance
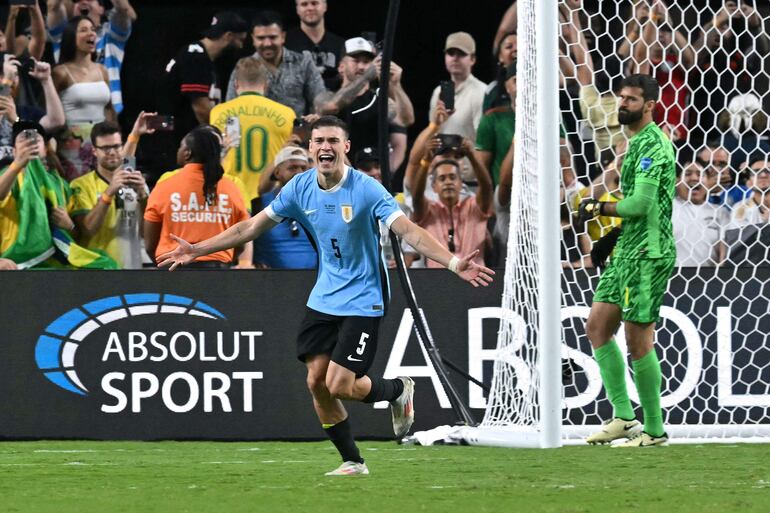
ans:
(698, 224)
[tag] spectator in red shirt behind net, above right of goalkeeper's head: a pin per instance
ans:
(666, 54)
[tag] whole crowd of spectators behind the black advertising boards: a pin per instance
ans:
(72, 196)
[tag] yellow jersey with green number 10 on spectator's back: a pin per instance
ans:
(265, 127)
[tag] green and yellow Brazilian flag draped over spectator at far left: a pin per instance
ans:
(37, 243)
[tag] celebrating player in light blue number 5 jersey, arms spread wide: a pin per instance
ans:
(339, 207)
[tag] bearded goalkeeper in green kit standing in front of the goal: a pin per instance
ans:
(632, 286)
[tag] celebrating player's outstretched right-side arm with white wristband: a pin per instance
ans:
(426, 245)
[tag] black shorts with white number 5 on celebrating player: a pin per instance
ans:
(351, 341)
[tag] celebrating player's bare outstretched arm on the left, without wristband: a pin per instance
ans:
(234, 236)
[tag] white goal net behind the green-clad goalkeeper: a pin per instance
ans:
(712, 336)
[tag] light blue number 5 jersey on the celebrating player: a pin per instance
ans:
(343, 223)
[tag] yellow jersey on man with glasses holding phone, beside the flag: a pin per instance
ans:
(86, 191)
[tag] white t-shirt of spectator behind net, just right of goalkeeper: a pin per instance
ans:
(697, 230)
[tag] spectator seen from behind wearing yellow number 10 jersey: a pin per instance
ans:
(265, 125)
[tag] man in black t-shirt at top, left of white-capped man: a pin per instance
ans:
(311, 36)
